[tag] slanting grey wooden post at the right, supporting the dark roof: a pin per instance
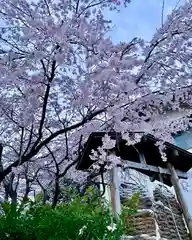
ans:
(180, 197)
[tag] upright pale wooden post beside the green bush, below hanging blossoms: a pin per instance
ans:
(115, 195)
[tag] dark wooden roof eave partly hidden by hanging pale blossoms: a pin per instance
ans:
(182, 160)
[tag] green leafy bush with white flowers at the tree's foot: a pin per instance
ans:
(78, 220)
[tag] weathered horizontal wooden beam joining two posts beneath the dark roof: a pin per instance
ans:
(150, 168)
